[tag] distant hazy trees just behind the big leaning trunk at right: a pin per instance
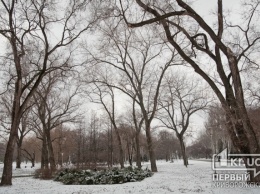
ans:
(214, 138)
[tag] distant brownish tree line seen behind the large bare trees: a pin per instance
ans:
(93, 145)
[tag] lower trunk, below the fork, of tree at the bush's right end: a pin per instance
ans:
(151, 149)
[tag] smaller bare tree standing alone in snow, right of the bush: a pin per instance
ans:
(179, 103)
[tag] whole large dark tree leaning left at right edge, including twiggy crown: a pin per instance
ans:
(222, 46)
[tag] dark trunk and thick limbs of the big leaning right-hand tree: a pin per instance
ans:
(240, 129)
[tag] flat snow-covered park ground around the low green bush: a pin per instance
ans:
(171, 178)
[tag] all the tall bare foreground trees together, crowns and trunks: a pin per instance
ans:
(46, 71)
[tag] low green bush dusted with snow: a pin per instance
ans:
(114, 176)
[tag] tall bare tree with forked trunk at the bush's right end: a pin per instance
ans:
(130, 58)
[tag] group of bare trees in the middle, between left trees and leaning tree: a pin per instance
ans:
(142, 70)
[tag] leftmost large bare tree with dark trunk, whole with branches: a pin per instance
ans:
(28, 26)
